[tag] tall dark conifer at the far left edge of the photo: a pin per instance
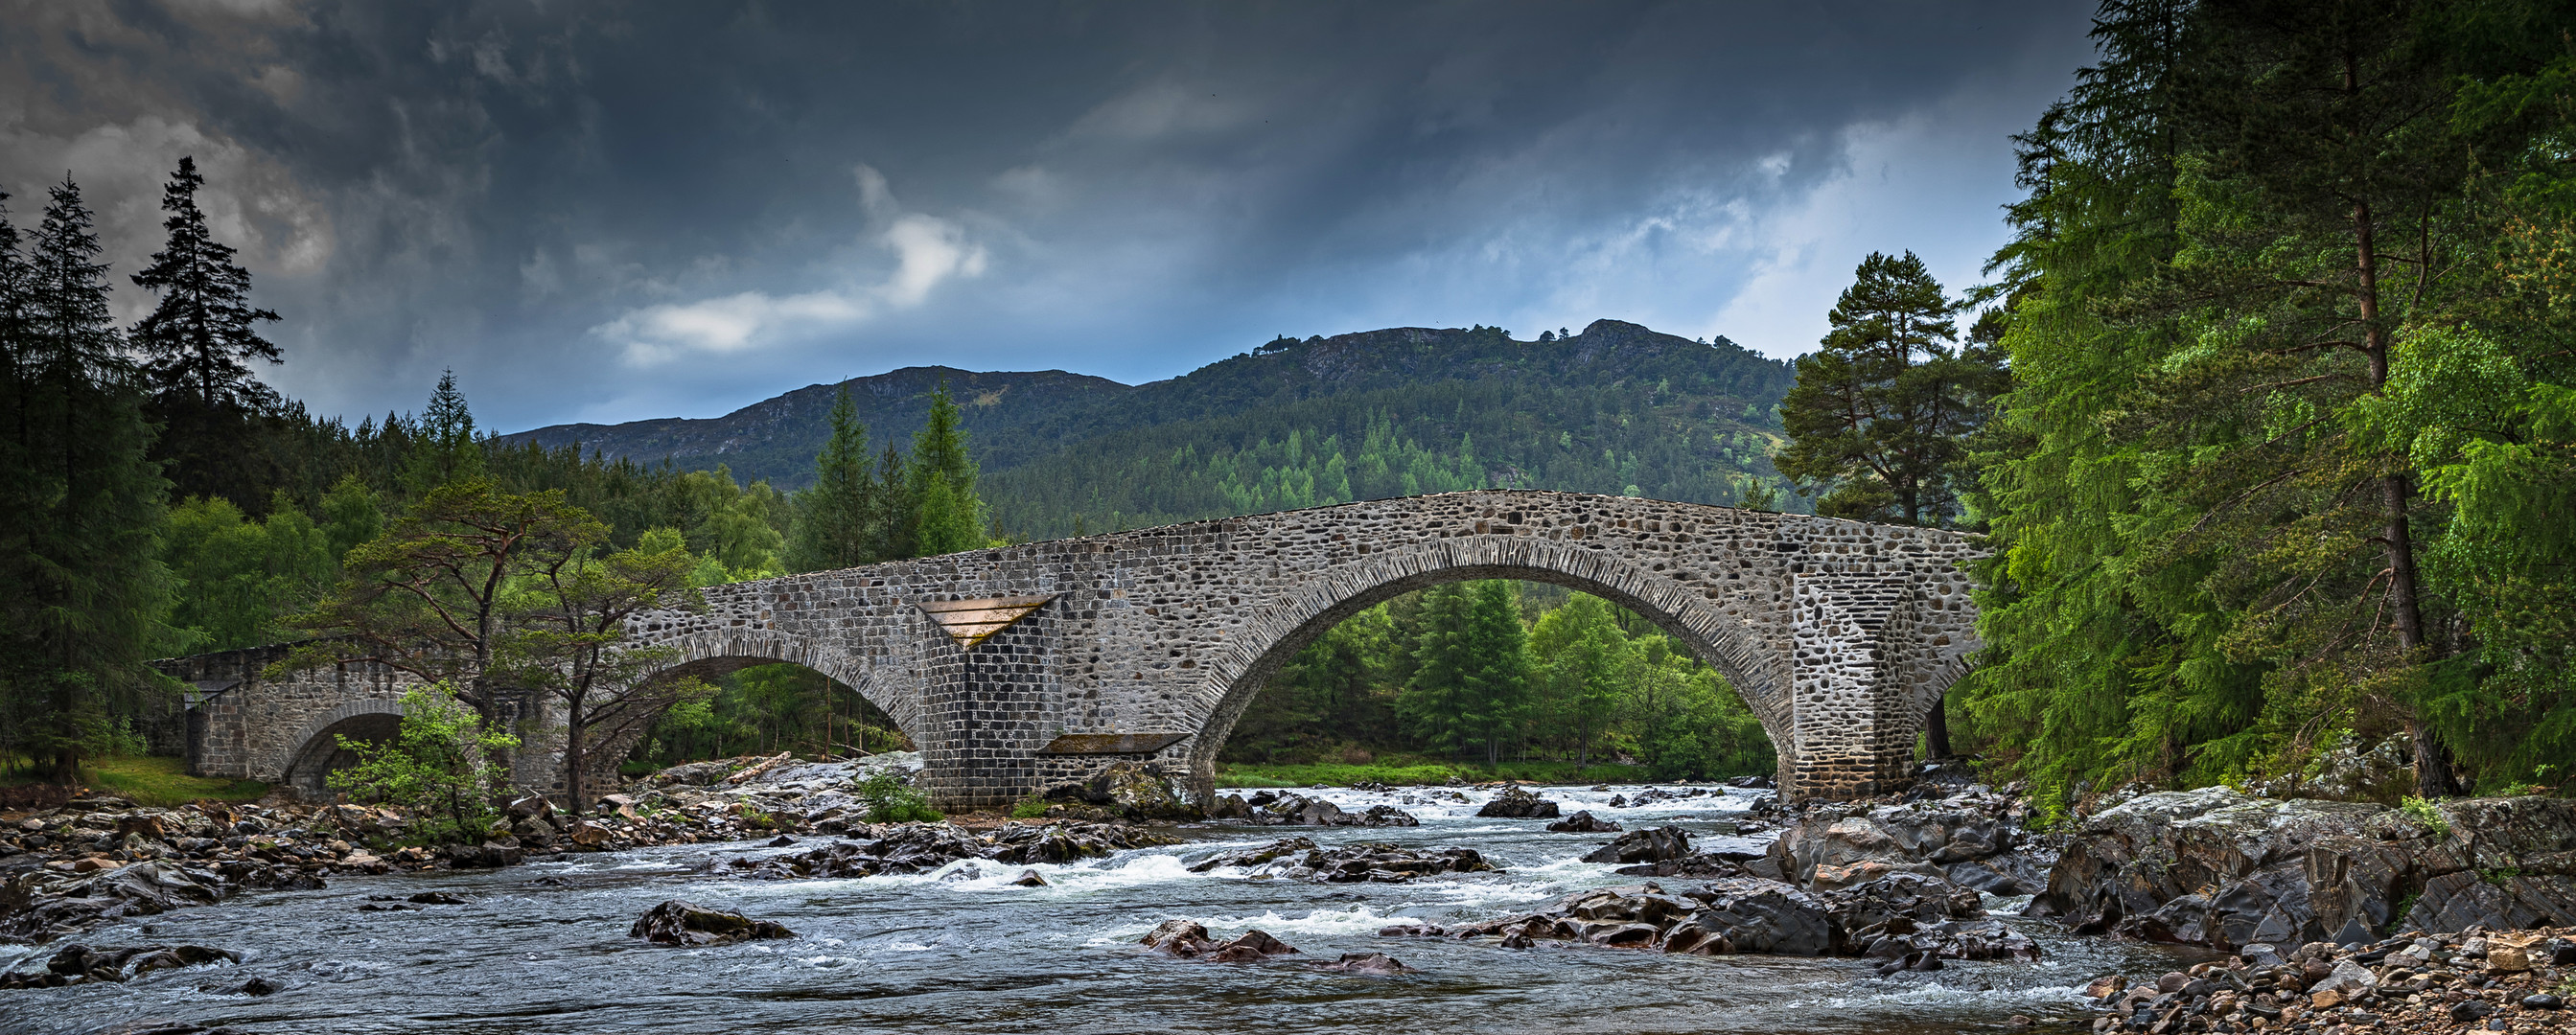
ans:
(84, 591)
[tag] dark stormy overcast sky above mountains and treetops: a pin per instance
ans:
(650, 210)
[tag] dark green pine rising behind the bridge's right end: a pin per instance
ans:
(1879, 416)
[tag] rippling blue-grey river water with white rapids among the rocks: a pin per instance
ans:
(542, 949)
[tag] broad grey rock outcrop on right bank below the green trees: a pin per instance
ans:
(2227, 872)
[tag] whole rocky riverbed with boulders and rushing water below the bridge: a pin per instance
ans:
(1936, 913)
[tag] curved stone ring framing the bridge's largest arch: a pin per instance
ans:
(1310, 609)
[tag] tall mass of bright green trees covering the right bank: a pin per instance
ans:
(2286, 328)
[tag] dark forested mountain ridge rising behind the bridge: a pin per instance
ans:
(1294, 424)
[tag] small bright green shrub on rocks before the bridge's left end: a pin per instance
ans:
(444, 766)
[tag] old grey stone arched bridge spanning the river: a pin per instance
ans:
(1037, 666)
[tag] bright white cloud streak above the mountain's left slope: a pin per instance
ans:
(929, 251)
